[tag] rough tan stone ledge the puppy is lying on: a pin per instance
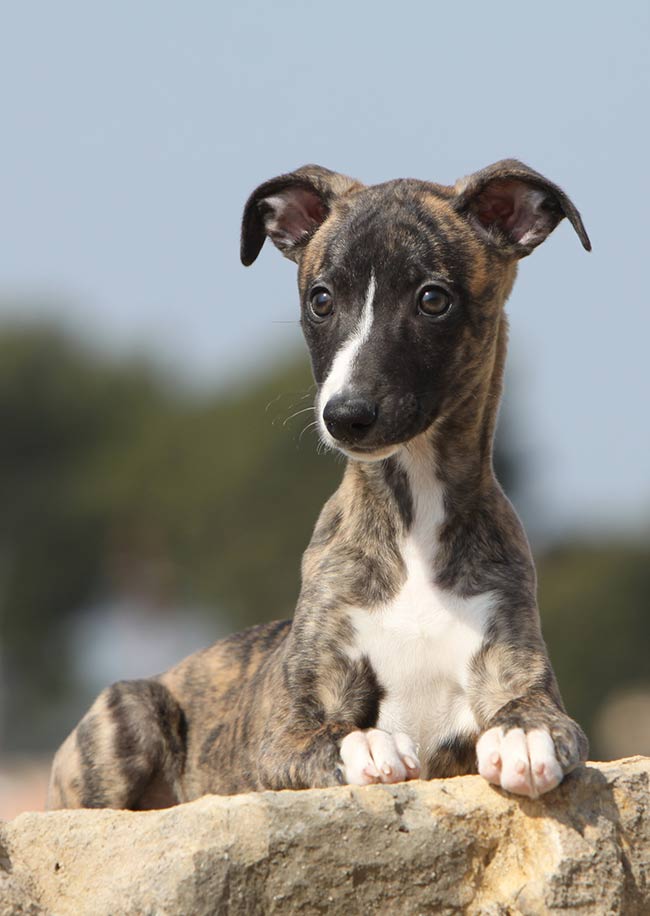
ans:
(447, 846)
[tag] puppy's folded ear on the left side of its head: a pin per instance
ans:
(288, 209)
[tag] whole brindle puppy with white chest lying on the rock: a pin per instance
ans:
(415, 649)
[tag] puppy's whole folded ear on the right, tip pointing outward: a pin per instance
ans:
(515, 207)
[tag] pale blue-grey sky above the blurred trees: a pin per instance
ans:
(132, 134)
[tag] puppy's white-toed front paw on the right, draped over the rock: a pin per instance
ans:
(520, 762)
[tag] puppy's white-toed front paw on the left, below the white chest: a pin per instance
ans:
(373, 755)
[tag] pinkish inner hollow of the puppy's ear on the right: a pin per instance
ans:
(515, 208)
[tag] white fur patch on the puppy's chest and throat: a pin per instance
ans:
(421, 643)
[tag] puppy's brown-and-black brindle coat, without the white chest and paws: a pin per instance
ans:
(268, 708)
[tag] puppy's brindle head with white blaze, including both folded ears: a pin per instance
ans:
(402, 287)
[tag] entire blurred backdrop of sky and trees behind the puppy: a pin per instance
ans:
(157, 483)
